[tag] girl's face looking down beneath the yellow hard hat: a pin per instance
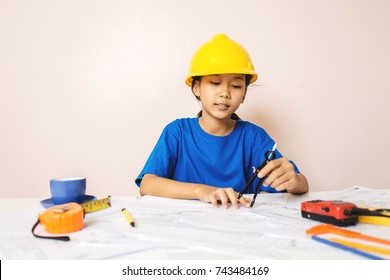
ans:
(220, 95)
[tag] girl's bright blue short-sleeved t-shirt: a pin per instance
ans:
(186, 153)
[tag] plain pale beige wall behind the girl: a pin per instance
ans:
(87, 86)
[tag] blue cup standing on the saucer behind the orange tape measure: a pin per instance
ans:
(70, 189)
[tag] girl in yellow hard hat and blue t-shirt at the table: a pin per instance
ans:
(210, 157)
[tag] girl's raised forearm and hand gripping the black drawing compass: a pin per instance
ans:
(282, 176)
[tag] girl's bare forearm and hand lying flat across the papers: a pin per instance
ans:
(163, 187)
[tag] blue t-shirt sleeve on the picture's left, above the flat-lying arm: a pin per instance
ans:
(163, 158)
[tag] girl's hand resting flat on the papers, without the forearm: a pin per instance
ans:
(223, 196)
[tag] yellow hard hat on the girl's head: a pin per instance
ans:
(220, 55)
